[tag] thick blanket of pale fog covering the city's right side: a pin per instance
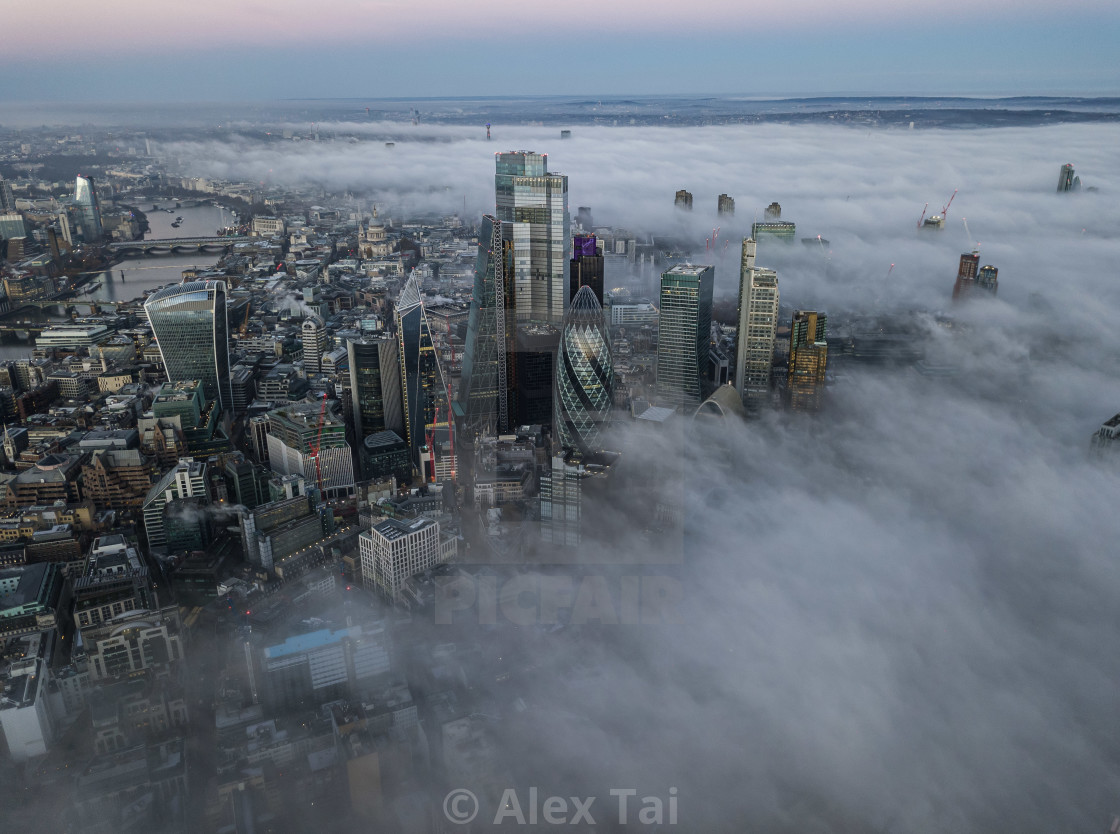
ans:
(899, 615)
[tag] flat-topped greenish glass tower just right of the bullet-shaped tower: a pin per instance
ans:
(685, 334)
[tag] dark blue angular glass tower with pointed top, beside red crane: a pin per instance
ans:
(424, 391)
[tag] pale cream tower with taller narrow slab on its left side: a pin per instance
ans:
(754, 351)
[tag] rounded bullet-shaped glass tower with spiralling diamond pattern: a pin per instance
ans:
(584, 377)
